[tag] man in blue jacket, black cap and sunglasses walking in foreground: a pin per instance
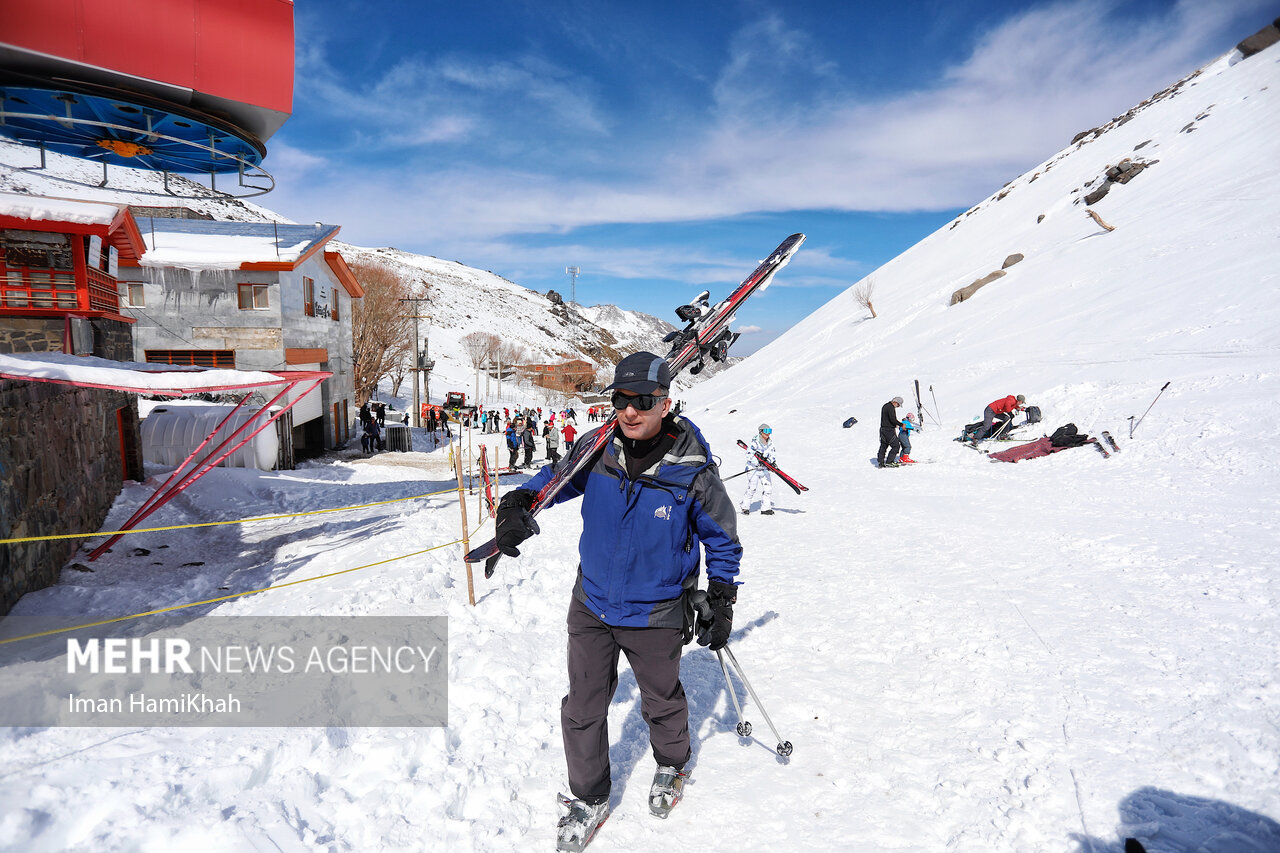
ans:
(648, 501)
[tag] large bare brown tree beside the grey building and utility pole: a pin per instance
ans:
(382, 329)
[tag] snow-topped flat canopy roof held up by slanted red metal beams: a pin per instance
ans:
(171, 380)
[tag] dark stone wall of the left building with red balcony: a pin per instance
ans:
(61, 466)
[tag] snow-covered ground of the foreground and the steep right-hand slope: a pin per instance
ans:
(967, 655)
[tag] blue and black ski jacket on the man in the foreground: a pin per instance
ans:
(641, 539)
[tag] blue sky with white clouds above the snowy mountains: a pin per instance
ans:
(665, 148)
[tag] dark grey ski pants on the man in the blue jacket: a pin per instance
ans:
(593, 677)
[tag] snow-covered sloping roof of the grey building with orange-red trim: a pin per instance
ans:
(202, 244)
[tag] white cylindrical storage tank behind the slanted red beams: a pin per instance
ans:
(171, 434)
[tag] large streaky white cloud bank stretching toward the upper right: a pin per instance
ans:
(1025, 90)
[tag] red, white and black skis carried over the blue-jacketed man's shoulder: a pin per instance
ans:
(706, 335)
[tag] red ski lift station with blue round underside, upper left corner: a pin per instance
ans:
(191, 88)
